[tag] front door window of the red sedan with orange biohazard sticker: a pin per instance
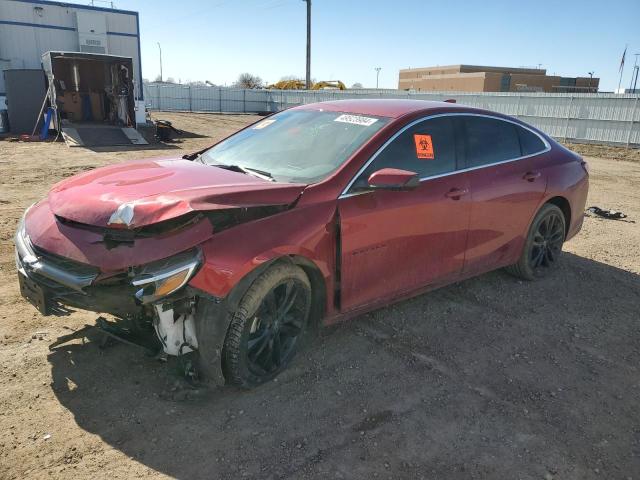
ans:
(427, 148)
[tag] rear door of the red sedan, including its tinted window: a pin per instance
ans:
(506, 188)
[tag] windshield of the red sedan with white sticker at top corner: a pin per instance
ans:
(297, 146)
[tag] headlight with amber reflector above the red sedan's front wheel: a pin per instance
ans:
(159, 279)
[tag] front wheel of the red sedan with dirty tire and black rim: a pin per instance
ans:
(268, 326)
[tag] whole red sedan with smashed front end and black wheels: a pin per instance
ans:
(307, 217)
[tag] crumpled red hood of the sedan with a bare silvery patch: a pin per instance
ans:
(150, 191)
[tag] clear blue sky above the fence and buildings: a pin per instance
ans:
(218, 39)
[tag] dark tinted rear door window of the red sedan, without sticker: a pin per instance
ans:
(489, 140)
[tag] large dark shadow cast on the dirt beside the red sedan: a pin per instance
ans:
(491, 377)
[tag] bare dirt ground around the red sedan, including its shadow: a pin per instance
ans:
(488, 378)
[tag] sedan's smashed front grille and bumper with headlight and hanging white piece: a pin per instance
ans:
(151, 294)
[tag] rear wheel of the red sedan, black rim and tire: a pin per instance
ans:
(543, 246)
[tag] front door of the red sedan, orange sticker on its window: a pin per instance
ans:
(396, 241)
